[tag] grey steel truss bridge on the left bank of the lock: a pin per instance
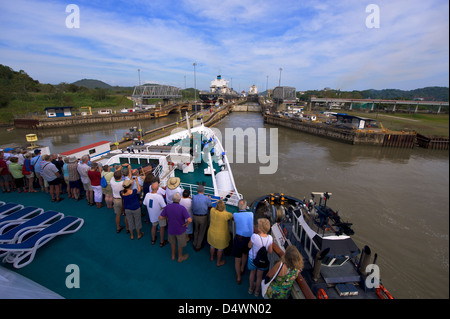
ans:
(143, 93)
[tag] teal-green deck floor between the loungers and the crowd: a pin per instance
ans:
(113, 266)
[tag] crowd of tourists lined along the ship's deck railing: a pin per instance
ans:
(135, 195)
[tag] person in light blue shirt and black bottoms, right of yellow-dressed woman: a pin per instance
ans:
(244, 230)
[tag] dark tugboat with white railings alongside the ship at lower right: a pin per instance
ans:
(334, 267)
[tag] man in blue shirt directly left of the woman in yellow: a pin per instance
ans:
(201, 205)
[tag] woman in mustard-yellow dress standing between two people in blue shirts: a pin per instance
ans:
(218, 232)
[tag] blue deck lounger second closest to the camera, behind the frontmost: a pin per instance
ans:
(40, 221)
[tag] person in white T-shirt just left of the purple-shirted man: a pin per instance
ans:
(155, 204)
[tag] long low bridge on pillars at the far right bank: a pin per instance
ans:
(330, 101)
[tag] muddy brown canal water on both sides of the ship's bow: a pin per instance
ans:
(396, 199)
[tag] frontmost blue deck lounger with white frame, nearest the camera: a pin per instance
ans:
(22, 253)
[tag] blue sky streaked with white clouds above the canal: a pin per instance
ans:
(316, 43)
